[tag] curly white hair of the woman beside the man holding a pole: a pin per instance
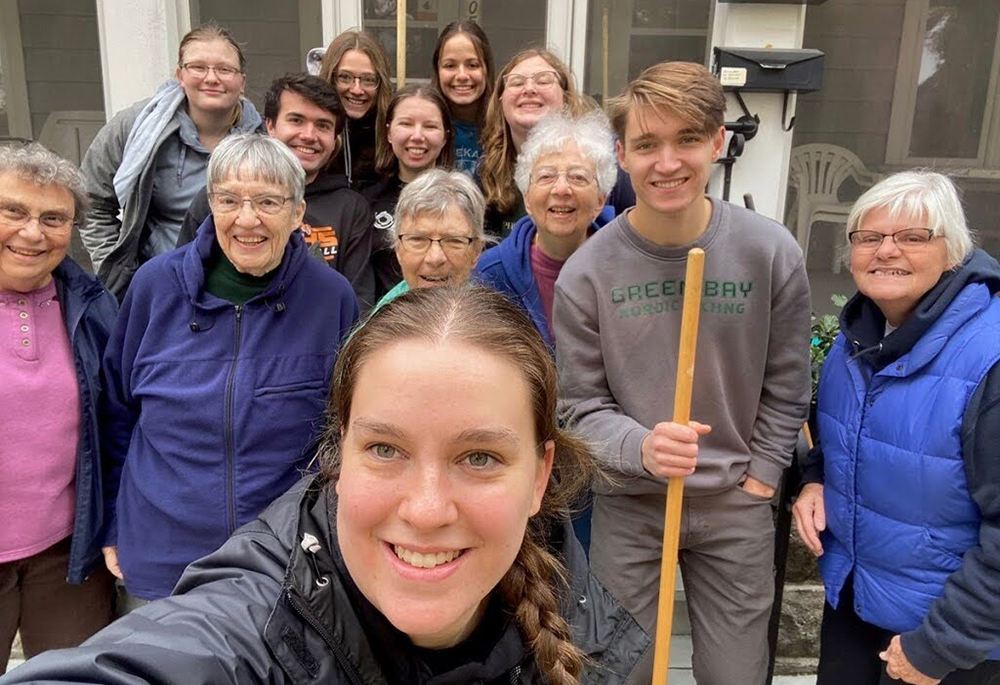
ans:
(592, 134)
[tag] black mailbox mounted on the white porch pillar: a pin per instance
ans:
(772, 70)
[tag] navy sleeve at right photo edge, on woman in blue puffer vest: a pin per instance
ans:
(963, 626)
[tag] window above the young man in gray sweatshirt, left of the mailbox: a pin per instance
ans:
(641, 33)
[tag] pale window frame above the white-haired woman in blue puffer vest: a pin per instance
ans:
(905, 96)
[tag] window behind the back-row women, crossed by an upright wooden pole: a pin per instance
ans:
(511, 25)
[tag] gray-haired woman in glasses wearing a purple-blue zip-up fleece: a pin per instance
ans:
(218, 370)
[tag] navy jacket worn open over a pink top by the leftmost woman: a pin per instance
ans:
(88, 312)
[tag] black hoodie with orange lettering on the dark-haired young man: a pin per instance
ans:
(337, 224)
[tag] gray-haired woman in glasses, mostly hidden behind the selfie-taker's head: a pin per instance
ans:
(439, 231)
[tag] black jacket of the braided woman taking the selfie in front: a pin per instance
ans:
(274, 605)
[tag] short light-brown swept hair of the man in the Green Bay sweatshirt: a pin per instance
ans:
(686, 89)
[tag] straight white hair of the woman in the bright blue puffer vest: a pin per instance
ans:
(915, 194)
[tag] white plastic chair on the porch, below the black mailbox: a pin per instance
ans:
(817, 171)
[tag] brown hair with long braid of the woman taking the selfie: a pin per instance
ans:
(487, 320)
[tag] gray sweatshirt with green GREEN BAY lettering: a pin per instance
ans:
(617, 318)
